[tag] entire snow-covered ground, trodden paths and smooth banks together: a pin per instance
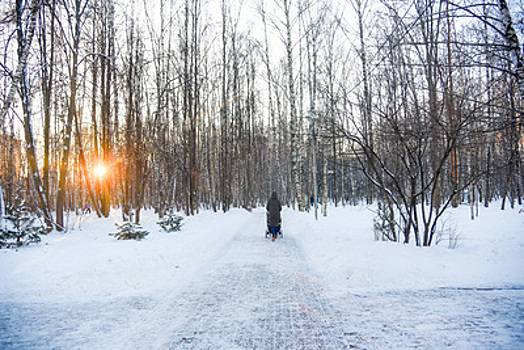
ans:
(218, 284)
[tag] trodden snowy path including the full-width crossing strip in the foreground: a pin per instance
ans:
(255, 294)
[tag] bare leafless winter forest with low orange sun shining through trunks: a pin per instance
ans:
(191, 105)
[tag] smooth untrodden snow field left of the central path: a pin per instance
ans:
(88, 264)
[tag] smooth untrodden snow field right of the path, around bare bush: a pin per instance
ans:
(489, 253)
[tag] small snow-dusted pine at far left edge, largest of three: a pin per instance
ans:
(18, 226)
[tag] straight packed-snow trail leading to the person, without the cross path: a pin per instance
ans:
(257, 294)
